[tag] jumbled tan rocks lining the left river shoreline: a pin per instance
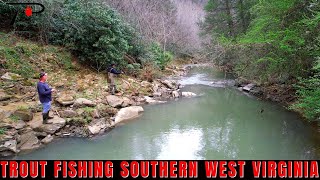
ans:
(74, 115)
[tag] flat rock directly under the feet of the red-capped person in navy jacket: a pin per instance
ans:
(57, 123)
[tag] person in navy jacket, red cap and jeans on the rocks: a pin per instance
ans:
(45, 92)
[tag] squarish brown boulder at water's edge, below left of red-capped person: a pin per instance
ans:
(29, 141)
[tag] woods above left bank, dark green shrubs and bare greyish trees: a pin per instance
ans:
(135, 34)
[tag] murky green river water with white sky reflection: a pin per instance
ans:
(222, 123)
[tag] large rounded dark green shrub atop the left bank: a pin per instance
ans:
(94, 32)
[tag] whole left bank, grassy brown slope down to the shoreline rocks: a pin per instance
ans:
(82, 106)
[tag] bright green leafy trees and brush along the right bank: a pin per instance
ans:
(274, 43)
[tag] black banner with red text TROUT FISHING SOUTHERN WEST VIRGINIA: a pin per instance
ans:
(159, 169)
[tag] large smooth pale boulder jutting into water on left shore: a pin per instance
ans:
(128, 113)
